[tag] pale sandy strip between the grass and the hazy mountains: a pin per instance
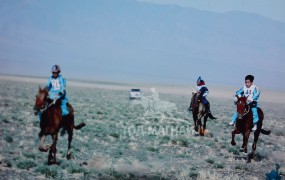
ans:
(216, 91)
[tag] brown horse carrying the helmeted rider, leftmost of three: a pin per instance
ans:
(52, 121)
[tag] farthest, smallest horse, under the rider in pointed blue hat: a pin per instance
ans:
(198, 112)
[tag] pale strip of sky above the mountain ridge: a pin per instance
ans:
(274, 9)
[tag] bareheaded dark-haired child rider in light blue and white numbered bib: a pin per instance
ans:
(252, 93)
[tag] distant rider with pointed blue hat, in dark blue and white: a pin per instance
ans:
(202, 92)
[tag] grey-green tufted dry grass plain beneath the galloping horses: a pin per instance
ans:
(150, 138)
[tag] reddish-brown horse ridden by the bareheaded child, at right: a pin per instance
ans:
(244, 124)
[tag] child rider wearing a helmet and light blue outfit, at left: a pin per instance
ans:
(56, 85)
